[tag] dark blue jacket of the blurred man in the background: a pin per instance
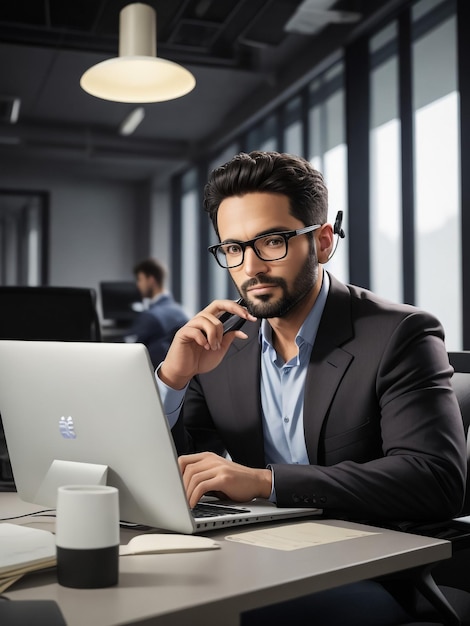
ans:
(156, 326)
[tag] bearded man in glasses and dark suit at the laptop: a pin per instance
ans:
(328, 396)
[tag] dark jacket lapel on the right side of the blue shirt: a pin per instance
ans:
(328, 363)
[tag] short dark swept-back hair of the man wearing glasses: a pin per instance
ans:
(271, 172)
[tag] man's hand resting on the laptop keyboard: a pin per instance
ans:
(208, 472)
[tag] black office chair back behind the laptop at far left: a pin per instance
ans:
(47, 314)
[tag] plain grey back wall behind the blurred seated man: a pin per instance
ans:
(98, 228)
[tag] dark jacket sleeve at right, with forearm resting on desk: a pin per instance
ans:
(403, 457)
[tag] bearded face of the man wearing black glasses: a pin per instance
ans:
(269, 288)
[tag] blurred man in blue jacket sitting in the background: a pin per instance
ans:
(155, 326)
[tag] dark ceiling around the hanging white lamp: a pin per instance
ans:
(239, 51)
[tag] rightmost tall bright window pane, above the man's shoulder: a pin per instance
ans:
(437, 171)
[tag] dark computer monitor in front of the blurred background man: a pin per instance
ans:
(121, 301)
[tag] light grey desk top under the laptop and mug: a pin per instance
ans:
(205, 588)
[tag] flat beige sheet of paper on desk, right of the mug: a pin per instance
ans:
(296, 536)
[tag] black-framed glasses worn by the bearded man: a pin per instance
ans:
(270, 247)
